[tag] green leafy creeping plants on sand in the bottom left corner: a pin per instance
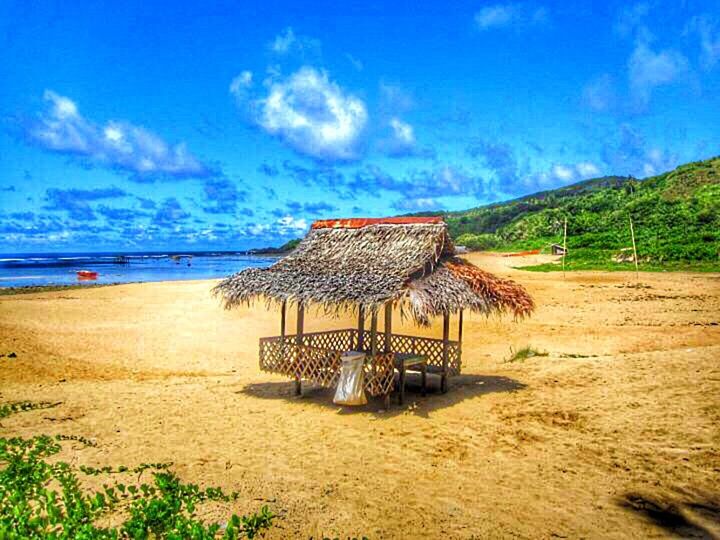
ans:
(43, 498)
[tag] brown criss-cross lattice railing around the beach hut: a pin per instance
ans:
(318, 358)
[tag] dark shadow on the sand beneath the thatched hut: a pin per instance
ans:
(461, 388)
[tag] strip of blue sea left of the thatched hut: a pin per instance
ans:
(33, 269)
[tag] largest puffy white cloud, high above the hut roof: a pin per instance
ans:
(314, 115)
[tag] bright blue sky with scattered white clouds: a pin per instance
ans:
(136, 125)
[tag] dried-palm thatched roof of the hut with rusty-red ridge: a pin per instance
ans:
(341, 264)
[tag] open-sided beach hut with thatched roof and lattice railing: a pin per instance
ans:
(367, 266)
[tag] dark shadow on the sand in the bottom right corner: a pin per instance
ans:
(696, 516)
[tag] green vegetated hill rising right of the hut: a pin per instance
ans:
(676, 217)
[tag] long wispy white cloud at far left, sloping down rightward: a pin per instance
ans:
(117, 145)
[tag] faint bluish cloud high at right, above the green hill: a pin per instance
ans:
(648, 69)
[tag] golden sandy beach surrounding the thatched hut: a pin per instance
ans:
(614, 434)
